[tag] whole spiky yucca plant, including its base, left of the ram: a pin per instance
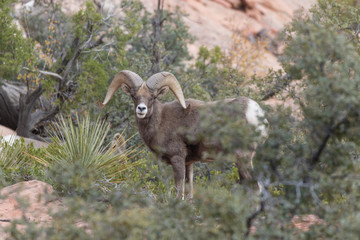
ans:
(79, 157)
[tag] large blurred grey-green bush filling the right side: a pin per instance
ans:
(309, 157)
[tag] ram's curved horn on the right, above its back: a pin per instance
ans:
(162, 79)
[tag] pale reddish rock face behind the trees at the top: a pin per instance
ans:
(212, 22)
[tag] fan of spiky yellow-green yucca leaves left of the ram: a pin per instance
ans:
(82, 144)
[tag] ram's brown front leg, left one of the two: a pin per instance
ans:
(178, 165)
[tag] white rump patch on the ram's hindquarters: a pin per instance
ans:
(255, 116)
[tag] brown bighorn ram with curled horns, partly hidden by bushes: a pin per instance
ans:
(158, 123)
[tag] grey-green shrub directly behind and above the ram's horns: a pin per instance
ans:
(161, 42)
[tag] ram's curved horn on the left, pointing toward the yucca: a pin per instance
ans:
(125, 77)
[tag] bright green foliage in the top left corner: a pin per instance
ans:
(15, 50)
